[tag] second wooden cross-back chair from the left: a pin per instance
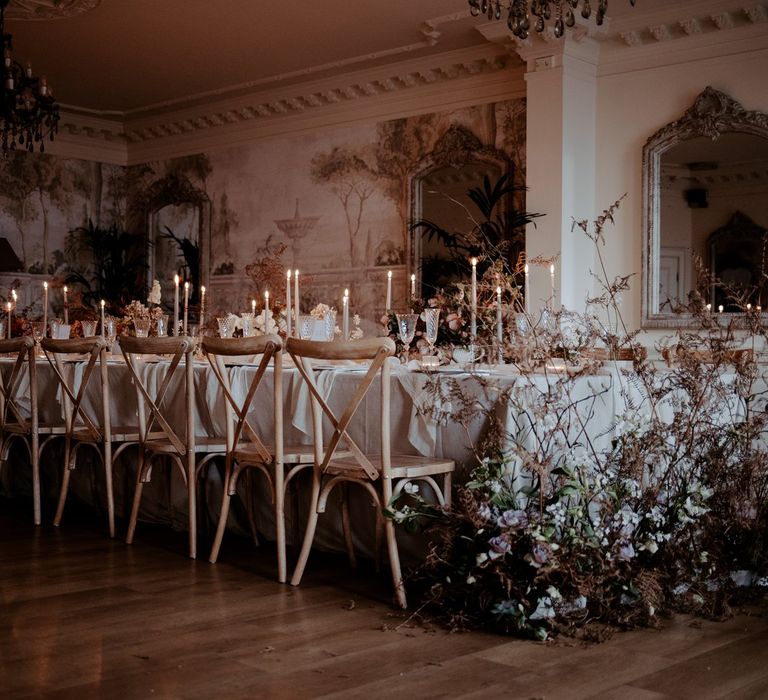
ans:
(82, 427)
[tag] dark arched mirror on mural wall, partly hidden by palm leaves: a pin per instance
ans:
(439, 195)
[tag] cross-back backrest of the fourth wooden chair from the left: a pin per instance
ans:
(232, 351)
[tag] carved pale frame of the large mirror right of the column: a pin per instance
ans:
(713, 113)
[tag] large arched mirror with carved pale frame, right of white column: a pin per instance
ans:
(705, 207)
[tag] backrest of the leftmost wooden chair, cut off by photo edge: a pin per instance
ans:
(11, 411)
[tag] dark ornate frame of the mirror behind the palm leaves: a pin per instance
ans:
(457, 147)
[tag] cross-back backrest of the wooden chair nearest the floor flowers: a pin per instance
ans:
(377, 351)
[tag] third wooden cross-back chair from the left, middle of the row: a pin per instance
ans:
(158, 417)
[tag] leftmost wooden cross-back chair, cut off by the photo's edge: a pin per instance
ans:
(16, 421)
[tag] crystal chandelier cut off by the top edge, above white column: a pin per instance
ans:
(520, 12)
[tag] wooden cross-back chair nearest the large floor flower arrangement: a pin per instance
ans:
(381, 475)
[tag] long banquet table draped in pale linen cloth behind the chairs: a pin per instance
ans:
(422, 422)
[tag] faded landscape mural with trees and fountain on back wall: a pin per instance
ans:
(333, 204)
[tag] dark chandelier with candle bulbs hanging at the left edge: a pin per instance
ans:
(28, 112)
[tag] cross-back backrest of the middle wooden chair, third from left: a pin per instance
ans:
(154, 412)
